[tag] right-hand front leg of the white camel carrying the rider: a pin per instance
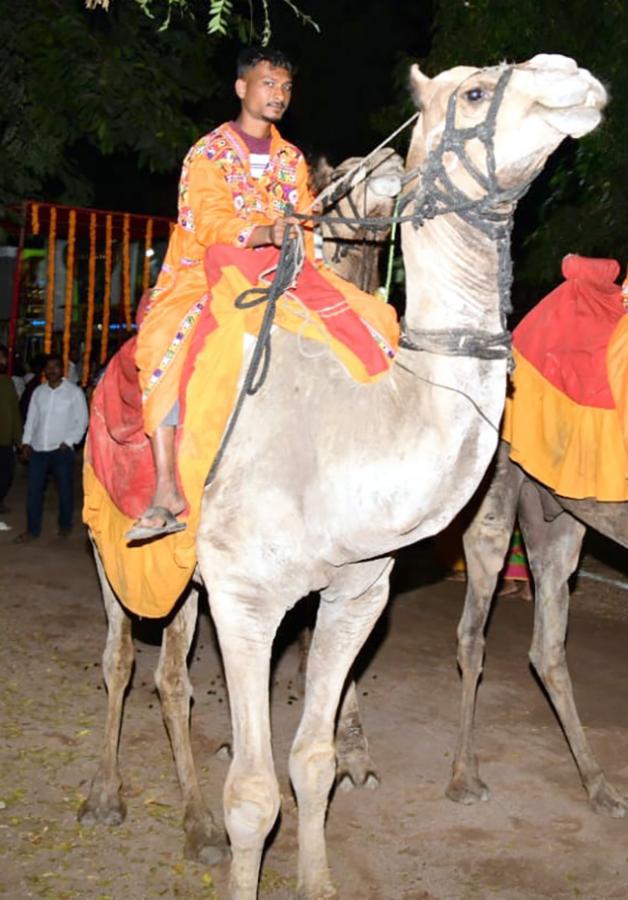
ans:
(347, 613)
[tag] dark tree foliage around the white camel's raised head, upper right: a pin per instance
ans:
(580, 203)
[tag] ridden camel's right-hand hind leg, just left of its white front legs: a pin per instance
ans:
(204, 842)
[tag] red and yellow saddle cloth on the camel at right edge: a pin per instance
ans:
(566, 417)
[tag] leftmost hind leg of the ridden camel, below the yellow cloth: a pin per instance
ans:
(104, 803)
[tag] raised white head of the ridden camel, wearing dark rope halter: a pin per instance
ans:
(500, 124)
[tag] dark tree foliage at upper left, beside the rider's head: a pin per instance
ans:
(79, 81)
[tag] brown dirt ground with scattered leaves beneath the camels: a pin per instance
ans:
(536, 837)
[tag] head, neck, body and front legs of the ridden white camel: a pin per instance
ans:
(325, 478)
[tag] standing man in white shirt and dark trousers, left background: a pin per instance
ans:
(56, 421)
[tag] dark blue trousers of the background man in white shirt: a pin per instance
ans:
(60, 463)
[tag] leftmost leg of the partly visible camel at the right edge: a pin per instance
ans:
(486, 543)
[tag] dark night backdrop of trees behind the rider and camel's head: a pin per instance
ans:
(100, 107)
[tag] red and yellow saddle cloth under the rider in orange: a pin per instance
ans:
(119, 477)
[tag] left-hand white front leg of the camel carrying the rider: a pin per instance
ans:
(246, 627)
